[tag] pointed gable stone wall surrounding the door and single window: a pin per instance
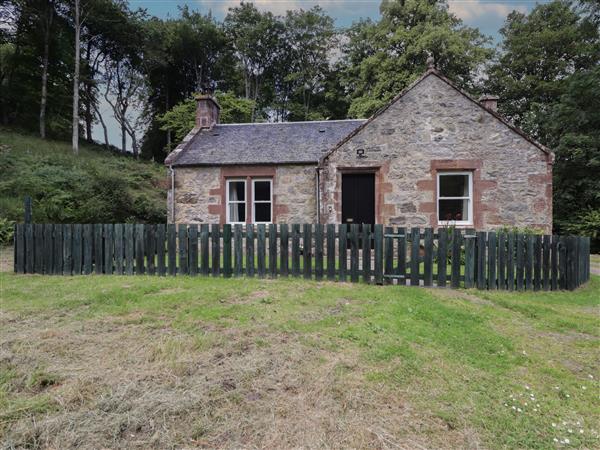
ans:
(434, 127)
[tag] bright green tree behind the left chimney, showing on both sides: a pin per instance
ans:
(182, 117)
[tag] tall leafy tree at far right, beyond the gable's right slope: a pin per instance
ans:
(540, 51)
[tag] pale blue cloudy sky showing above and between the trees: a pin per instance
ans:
(487, 15)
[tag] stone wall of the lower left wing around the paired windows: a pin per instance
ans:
(200, 192)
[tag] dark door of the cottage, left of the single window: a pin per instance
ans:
(358, 198)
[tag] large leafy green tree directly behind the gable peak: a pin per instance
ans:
(397, 48)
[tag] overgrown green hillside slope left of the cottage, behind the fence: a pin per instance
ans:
(94, 187)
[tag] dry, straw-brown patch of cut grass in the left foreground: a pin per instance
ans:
(131, 386)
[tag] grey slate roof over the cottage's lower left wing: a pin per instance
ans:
(261, 143)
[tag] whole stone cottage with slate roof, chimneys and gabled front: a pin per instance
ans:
(433, 156)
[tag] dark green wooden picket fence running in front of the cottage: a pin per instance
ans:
(381, 255)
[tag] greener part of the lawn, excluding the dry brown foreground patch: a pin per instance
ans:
(501, 366)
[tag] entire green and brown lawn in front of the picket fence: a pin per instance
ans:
(114, 361)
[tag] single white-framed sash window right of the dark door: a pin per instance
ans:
(455, 198)
